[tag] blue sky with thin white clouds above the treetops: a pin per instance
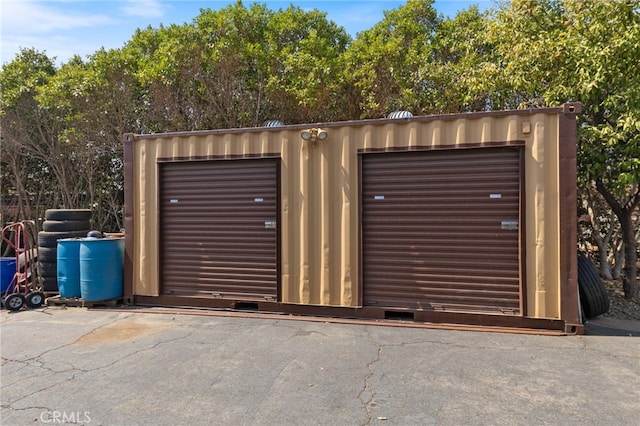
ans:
(63, 28)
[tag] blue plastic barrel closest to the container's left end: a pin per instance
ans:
(101, 268)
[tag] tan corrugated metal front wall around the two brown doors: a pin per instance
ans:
(320, 196)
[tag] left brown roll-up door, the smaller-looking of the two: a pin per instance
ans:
(218, 228)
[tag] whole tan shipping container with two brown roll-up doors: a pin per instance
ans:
(462, 219)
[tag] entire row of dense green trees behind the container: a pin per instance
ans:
(62, 126)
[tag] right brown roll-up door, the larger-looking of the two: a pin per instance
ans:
(440, 230)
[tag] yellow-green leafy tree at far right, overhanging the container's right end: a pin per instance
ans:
(552, 51)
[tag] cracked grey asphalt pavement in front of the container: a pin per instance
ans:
(106, 367)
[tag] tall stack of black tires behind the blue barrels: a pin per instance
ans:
(59, 224)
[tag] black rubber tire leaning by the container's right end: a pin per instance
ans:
(593, 295)
